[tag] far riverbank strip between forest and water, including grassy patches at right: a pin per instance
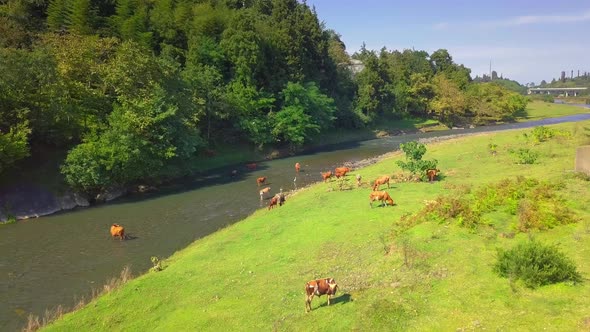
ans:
(37, 188)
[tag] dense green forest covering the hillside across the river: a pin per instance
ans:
(138, 89)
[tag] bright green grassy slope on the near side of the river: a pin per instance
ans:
(395, 272)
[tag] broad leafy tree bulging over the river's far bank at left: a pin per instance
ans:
(143, 138)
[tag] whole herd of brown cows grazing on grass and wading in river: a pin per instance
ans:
(325, 286)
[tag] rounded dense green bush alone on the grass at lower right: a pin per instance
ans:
(536, 265)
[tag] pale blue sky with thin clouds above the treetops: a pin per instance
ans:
(527, 41)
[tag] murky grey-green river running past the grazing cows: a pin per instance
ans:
(60, 258)
